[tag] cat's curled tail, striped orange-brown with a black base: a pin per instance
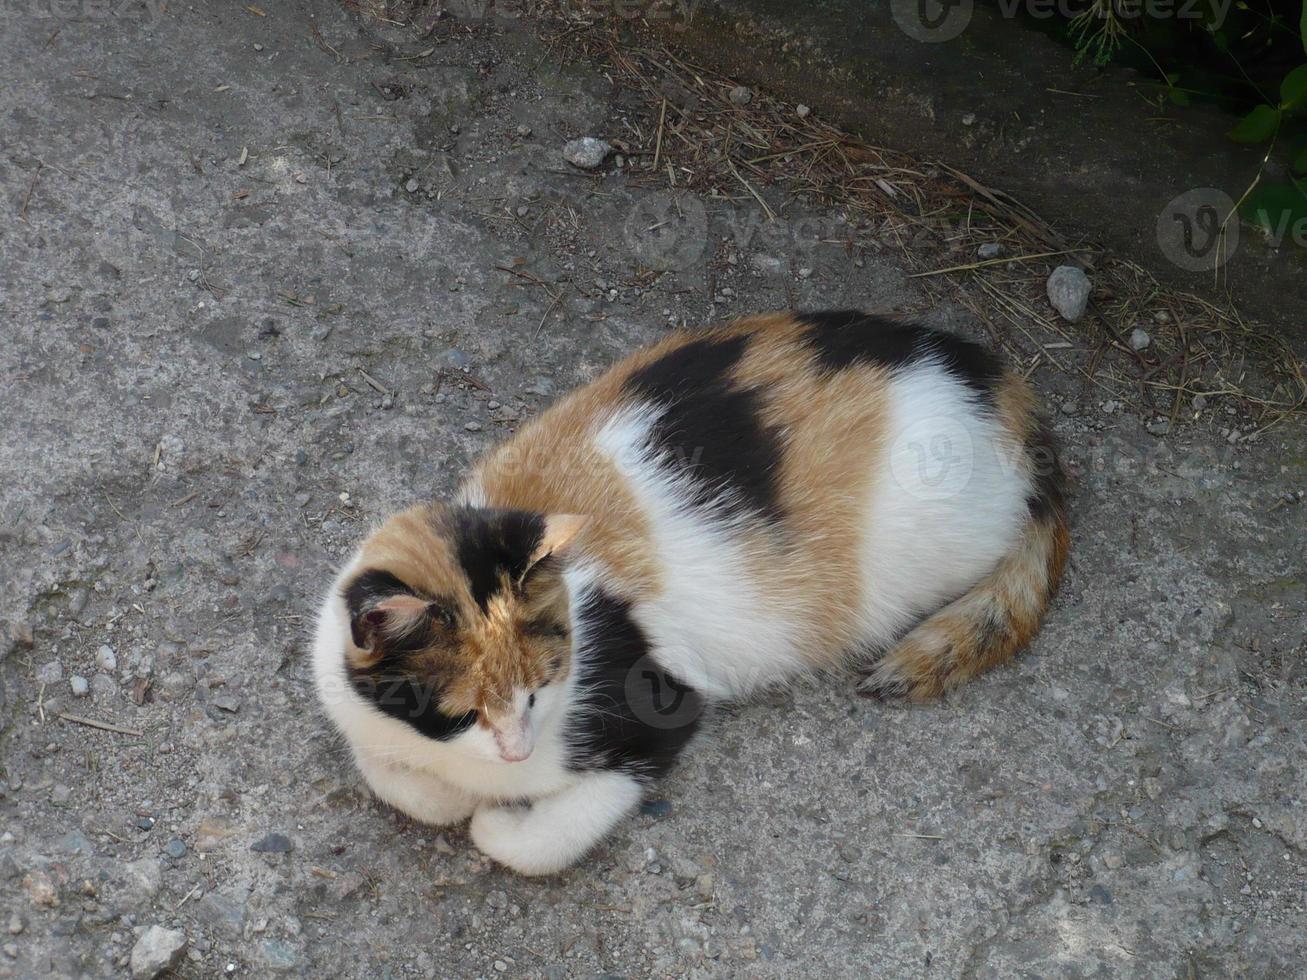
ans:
(998, 617)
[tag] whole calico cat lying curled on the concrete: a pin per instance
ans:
(714, 515)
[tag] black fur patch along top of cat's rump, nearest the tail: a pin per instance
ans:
(845, 338)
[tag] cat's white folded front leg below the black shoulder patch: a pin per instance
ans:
(557, 830)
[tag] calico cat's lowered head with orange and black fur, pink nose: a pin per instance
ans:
(459, 624)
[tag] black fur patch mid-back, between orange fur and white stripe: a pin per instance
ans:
(710, 428)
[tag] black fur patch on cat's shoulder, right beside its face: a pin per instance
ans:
(633, 715)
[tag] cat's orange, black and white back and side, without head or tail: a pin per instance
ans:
(735, 475)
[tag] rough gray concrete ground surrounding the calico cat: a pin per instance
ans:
(252, 302)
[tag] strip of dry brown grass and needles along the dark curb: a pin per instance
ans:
(688, 134)
